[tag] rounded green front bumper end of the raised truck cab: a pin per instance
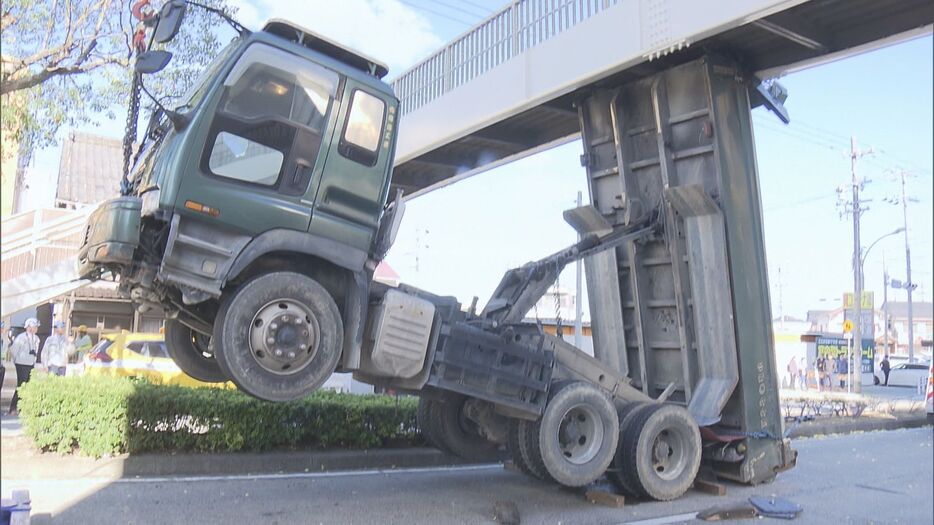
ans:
(110, 237)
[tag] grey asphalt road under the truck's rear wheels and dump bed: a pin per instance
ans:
(877, 477)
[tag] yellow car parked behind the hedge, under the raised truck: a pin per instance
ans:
(138, 354)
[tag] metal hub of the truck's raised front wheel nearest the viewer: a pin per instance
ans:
(284, 336)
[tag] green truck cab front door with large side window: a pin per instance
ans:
(261, 151)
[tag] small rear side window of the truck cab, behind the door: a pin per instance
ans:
(362, 130)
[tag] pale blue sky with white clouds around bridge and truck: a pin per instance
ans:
(459, 240)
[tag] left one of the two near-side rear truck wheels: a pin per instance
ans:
(578, 434)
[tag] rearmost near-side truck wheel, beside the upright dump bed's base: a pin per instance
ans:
(662, 448)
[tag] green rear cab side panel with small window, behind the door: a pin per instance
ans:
(352, 190)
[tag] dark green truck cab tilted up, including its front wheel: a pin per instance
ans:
(257, 212)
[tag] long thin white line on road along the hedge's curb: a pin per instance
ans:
(260, 477)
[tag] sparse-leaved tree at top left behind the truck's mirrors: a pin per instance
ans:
(66, 62)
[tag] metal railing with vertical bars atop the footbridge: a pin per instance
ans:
(518, 27)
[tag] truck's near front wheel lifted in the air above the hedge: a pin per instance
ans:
(279, 335)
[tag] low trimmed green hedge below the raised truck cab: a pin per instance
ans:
(99, 416)
